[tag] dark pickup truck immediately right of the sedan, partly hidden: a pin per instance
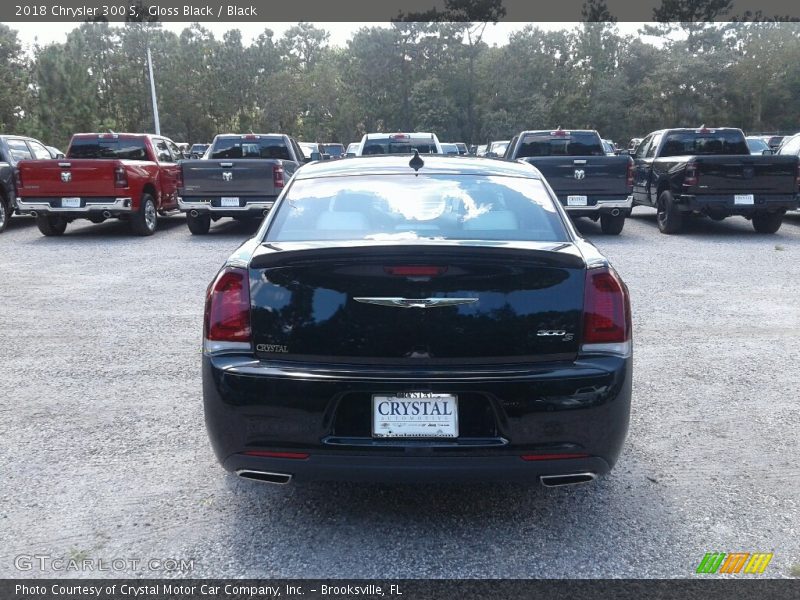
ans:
(587, 181)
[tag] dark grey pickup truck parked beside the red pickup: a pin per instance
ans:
(240, 176)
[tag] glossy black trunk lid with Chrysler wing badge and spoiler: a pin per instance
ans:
(399, 305)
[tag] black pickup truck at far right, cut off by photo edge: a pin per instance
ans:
(711, 172)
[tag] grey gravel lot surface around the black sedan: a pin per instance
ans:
(104, 455)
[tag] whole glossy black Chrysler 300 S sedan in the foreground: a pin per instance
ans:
(402, 318)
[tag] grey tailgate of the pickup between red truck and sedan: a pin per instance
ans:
(240, 177)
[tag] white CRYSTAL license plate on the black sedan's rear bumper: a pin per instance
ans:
(415, 415)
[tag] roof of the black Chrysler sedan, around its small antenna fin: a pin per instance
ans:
(387, 164)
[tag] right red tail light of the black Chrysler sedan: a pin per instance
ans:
(607, 313)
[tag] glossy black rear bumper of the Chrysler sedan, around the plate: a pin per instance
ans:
(570, 417)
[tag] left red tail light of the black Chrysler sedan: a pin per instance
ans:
(227, 320)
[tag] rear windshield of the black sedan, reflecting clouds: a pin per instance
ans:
(400, 207)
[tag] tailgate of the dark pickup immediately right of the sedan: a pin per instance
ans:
(590, 175)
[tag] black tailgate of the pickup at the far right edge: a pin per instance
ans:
(753, 174)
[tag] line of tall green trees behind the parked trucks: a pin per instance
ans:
(424, 76)
